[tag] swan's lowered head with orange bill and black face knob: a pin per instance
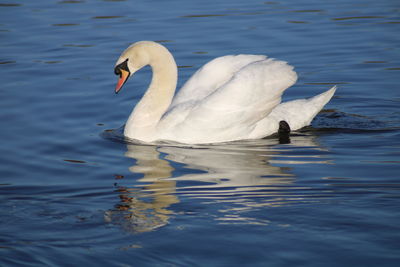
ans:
(131, 60)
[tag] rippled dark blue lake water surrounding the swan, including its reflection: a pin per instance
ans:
(73, 192)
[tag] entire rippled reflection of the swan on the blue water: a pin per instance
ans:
(240, 174)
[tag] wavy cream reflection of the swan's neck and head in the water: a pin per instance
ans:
(144, 208)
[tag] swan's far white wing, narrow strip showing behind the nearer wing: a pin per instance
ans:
(212, 76)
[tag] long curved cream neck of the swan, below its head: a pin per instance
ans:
(144, 118)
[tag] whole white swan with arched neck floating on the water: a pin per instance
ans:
(230, 98)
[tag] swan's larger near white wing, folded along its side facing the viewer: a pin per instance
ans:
(232, 110)
